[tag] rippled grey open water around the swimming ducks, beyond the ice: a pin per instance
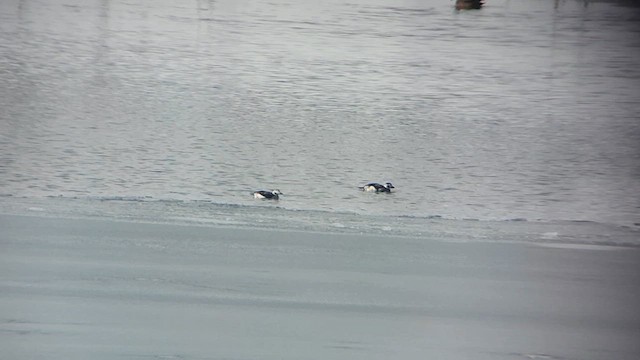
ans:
(523, 110)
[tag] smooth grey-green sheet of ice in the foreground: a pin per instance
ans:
(102, 289)
